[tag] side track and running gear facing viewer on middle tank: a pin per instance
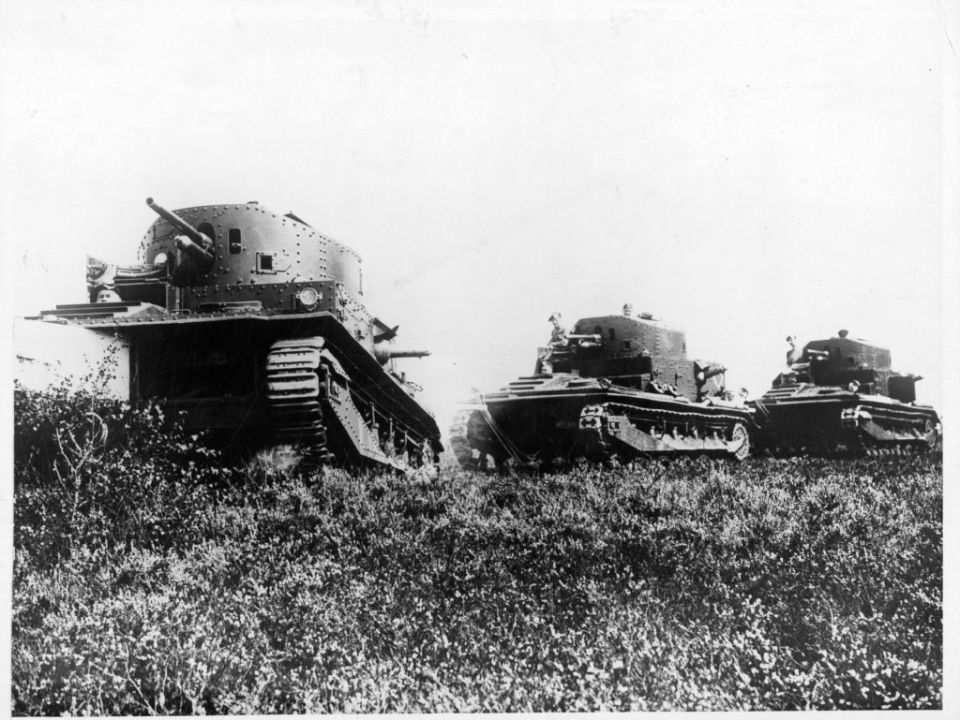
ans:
(614, 430)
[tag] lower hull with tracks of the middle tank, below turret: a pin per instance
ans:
(548, 420)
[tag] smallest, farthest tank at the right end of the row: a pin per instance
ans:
(840, 395)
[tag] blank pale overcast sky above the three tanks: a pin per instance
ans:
(743, 170)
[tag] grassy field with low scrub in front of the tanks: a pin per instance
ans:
(149, 579)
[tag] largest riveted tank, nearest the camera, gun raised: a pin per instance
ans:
(251, 325)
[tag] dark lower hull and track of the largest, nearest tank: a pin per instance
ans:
(230, 375)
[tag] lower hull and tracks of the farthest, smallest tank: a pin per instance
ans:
(818, 420)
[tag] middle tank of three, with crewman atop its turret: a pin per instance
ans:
(617, 388)
